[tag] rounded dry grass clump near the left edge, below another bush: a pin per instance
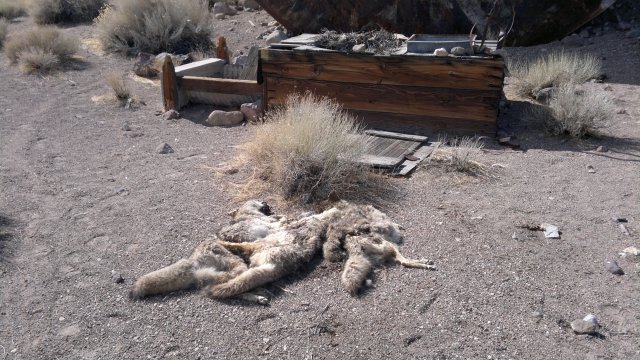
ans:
(41, 49)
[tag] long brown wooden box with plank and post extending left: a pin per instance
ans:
(413, 93)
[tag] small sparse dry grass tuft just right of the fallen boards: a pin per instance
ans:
(460, 154)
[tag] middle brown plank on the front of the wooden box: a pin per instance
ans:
(448, 103)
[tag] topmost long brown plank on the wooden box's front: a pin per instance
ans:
(456, 73)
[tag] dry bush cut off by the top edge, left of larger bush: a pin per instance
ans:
(65, 11)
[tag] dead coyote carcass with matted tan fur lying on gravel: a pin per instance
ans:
(259, 248)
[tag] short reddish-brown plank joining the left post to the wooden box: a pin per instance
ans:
(218, 85)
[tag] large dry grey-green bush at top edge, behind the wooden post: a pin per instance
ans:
(154, 26)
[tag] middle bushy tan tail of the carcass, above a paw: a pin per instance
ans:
(248, 280)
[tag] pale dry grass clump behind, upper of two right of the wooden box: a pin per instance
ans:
(553, 69)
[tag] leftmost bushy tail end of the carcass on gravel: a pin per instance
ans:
(174, 277)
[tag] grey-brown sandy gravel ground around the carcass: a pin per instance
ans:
(80, 197)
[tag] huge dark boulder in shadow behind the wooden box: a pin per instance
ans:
(536, 21)
